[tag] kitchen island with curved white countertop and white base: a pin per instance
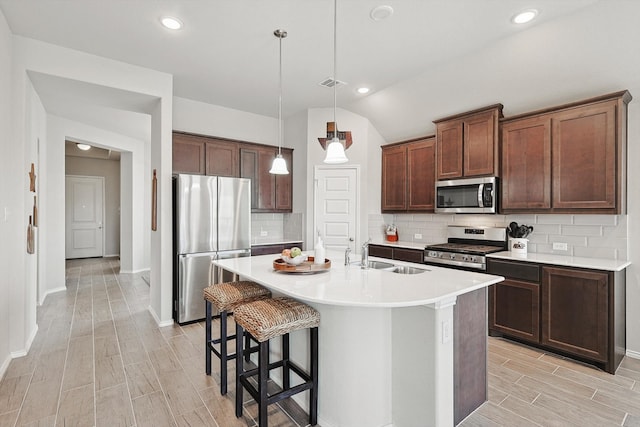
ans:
(386, 339)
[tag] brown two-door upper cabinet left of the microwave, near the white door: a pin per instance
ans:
(408, 176)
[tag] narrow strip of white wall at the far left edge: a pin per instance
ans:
(7, 250)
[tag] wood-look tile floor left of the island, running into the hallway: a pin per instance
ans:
(99, 359)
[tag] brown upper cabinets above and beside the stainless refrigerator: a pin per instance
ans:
(205, 155)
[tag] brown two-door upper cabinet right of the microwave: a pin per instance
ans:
(569, 159)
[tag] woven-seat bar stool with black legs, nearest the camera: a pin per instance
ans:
(266, 319)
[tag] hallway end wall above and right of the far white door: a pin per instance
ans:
(110, 170)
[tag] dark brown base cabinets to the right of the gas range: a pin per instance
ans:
(573, 311)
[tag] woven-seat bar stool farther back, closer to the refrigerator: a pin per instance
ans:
(226, 297)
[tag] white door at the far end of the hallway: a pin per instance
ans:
(84, 201)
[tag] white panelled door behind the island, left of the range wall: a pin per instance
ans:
(336, 207)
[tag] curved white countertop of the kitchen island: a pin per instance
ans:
(352, 286)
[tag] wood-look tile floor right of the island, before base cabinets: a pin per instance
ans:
(530, 387)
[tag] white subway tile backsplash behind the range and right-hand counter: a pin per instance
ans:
(592, 236)
